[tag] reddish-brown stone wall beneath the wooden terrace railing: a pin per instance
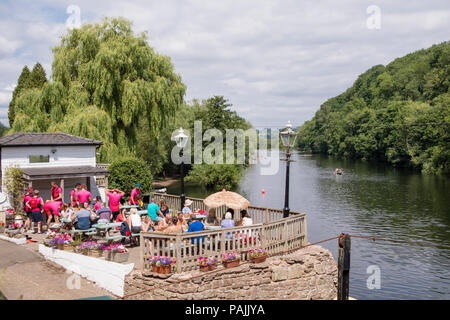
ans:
(309, 273)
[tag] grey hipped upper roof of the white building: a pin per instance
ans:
(45, 139)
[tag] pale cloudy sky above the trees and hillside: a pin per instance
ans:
(274, 60)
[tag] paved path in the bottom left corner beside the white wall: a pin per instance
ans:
(24, 274)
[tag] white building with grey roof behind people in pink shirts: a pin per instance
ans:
(59, 157)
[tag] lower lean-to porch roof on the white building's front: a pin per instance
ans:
(63, 172)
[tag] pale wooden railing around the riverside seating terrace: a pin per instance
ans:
(270, 231)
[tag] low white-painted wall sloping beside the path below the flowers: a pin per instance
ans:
(106, 274)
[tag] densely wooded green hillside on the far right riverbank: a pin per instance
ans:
(399, 113)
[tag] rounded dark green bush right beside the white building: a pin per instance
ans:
(125, 173)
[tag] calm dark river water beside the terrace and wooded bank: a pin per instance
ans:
(369, 199)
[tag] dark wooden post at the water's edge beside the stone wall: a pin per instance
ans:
(343, 266)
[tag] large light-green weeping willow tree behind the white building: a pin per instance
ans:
(105, 80)
